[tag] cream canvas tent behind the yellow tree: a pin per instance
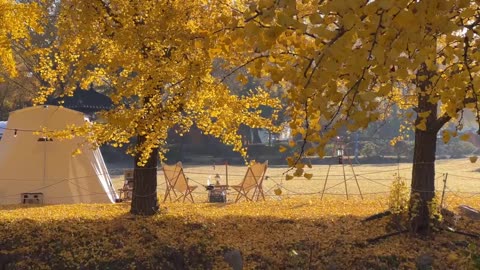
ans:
(35, 169)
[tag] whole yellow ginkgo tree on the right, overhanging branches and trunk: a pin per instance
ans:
(343, 63)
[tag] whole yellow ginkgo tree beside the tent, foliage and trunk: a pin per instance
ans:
(156, 59)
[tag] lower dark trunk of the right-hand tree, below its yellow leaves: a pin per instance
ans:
(423, 181)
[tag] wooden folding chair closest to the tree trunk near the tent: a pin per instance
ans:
(177, 183)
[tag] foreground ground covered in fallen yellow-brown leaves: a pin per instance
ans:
(294, 233)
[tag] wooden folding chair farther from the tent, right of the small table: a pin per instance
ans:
(252, 182)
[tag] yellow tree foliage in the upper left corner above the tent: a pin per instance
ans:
(34, 22)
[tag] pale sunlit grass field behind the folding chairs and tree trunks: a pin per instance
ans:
(463, 179)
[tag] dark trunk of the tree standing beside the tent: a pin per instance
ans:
(144, 199)
